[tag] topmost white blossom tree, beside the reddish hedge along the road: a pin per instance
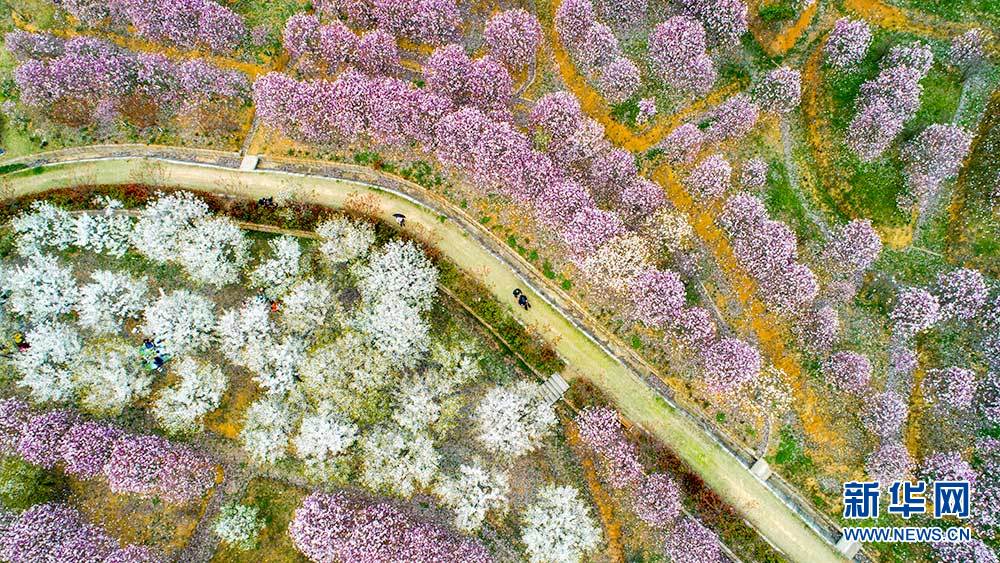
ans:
(157, 232)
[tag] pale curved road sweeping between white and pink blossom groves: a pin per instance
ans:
(468, 244)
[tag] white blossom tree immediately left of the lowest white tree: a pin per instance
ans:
(472, 493)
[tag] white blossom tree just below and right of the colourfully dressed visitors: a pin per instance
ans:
(180, 408)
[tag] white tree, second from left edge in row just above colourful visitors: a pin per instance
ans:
(109, 300)
